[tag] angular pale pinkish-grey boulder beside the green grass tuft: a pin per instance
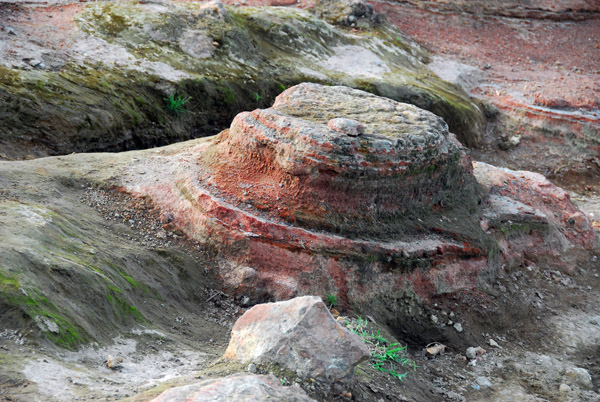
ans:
(300, 335)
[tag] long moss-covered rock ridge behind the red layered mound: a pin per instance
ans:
(111, 93)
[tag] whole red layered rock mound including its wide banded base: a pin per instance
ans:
(387, 210)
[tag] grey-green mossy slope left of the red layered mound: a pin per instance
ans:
(68, 277)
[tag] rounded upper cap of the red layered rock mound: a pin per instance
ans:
(342, 160)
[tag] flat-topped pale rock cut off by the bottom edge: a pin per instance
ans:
(239, 388)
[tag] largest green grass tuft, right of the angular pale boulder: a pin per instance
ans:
(386, 356)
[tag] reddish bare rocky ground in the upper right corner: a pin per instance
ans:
(540, 69)
